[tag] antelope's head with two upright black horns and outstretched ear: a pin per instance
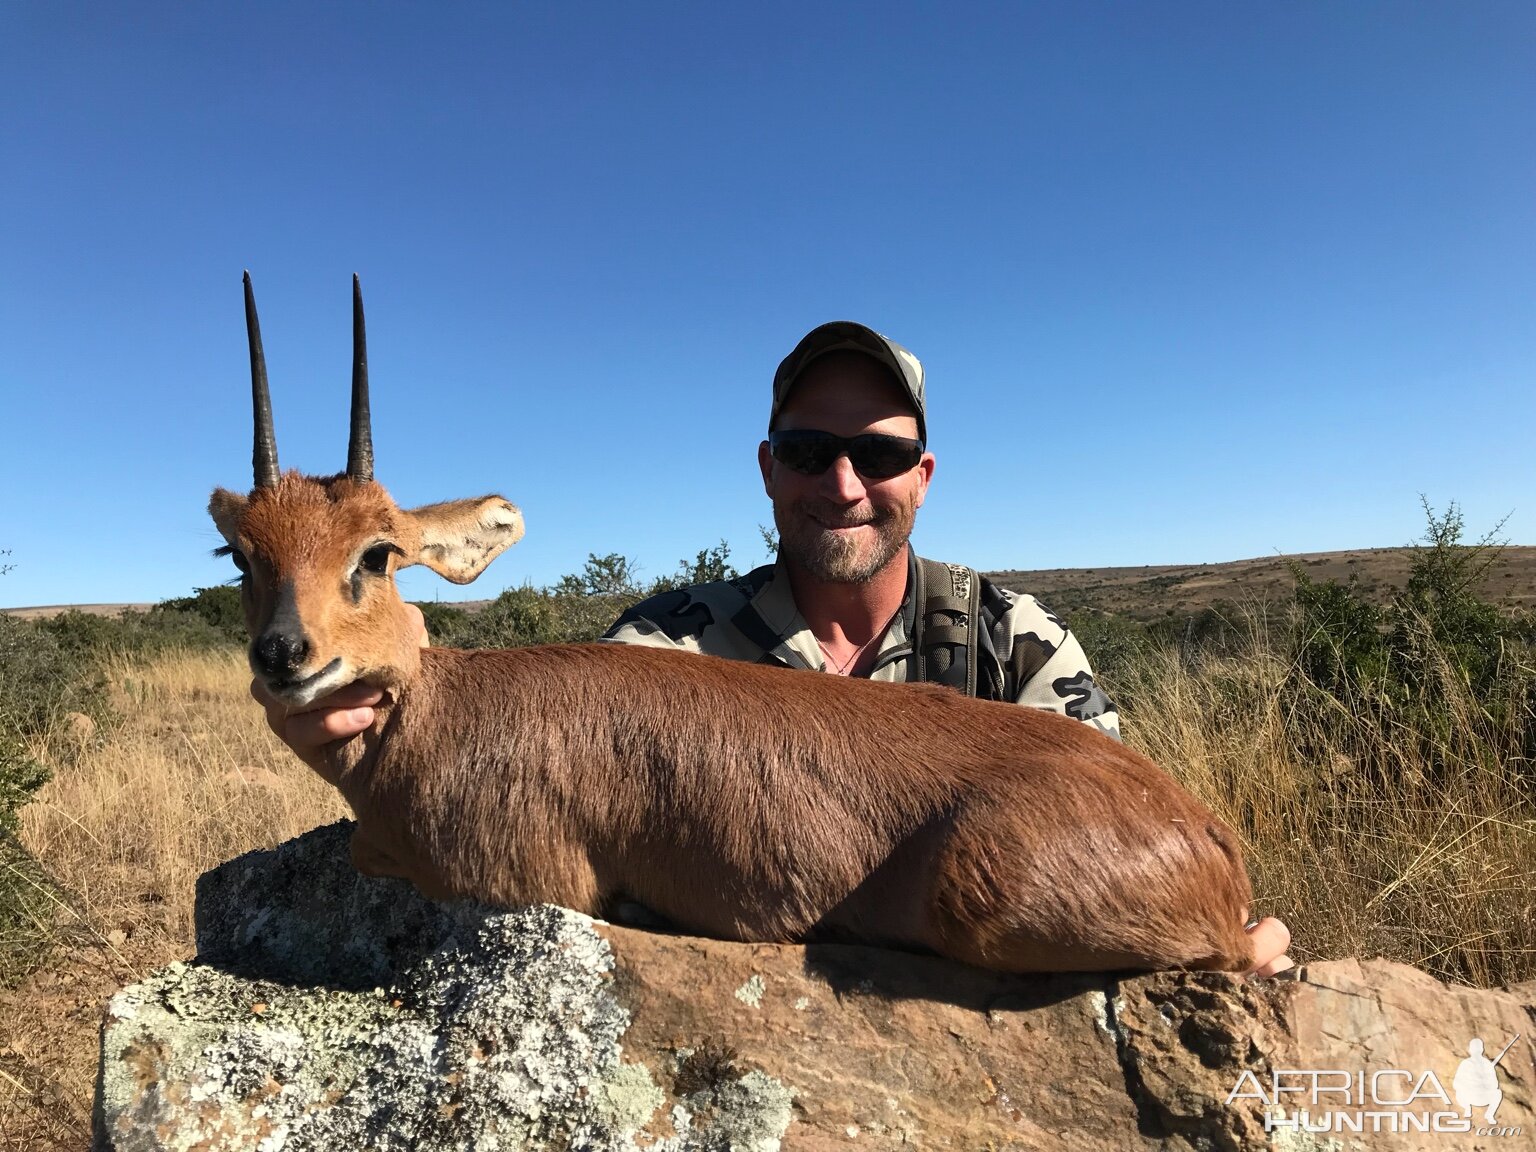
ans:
(319, 554)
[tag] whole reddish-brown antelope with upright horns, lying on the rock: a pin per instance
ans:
(738, 801)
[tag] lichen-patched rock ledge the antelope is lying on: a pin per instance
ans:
(331, 1011)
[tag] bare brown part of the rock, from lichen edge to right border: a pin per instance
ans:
(919, 1053)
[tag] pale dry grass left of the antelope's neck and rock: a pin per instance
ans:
(133, 818)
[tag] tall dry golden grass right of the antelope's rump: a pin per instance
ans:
(1351, 836)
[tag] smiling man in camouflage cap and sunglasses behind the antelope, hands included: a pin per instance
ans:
(847, 468)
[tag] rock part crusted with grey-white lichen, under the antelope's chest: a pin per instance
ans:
(329, 1011)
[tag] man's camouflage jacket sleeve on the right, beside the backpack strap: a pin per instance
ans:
(1045, 661)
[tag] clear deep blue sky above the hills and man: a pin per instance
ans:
(1191, 282)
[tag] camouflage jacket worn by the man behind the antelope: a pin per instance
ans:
(1024, 647)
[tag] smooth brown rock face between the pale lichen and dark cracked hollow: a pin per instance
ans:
(898, 1050)
